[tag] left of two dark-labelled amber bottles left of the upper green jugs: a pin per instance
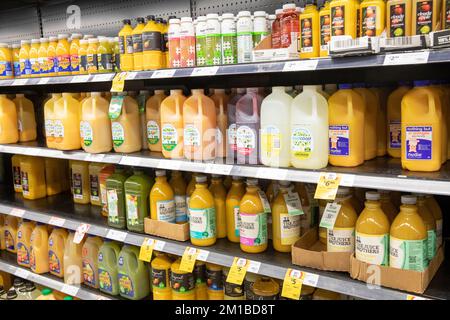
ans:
(81, 182)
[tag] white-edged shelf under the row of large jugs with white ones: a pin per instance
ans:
(380, 173)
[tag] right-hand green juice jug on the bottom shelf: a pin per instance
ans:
(134, 280)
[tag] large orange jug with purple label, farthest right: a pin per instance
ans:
(421, 114)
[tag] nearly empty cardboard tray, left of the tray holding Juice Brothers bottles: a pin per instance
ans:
(308, 251)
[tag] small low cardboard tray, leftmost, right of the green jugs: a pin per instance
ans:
(173, 231)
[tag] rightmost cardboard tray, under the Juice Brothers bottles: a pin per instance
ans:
(407, 280)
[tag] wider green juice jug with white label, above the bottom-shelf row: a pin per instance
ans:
(137, 190)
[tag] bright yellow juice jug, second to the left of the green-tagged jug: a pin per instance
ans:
(66, 126)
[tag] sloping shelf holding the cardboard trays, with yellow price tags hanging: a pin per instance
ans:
(271, 263)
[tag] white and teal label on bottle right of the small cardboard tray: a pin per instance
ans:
(202, 223)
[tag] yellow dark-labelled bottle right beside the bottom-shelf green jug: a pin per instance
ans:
(160, 277)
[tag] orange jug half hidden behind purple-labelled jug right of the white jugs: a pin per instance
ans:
(370, 120)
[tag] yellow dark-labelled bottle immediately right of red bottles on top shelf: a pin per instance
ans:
(309, 38)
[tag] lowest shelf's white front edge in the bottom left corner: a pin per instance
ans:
(8, 264)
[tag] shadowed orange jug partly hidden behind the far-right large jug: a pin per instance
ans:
(394, 116)
